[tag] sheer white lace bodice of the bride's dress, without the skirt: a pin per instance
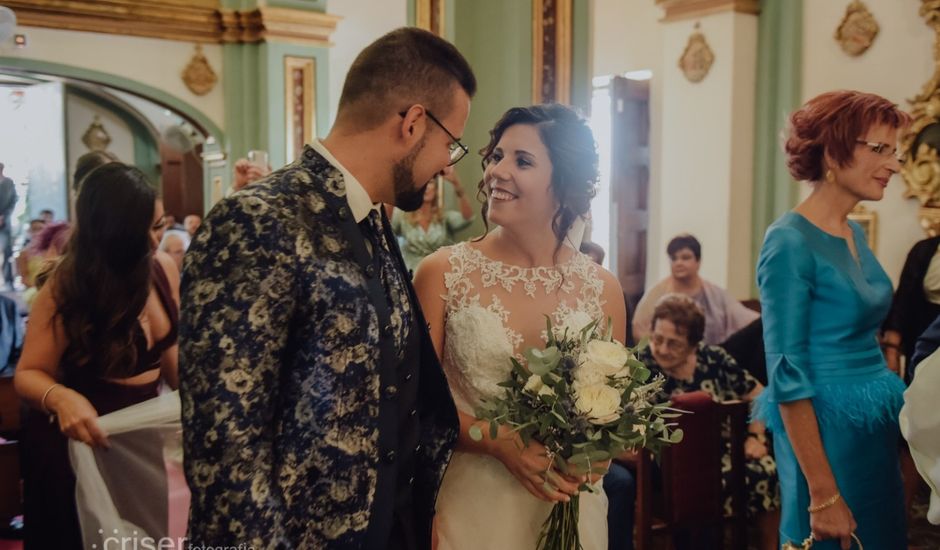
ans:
(494, 311)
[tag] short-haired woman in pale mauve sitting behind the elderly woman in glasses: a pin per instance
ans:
(723, 314)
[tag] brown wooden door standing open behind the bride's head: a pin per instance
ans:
(629, 182)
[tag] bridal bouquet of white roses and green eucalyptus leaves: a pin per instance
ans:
(585, 397)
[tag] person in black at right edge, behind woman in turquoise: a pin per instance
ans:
(915, 306)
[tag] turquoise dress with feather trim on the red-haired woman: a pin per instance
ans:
(821, 311)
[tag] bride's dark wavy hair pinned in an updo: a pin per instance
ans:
(573, 153)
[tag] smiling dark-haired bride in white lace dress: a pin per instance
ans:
(486, 301)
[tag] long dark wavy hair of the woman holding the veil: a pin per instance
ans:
(102, 281)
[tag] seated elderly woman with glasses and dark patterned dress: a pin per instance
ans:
(677, 352)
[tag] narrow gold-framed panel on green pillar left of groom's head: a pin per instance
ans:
(300, 104)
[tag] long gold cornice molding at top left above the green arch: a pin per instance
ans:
(185, 20)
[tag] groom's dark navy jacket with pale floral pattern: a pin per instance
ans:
(279, 372)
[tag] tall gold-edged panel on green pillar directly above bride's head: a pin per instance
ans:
(551, 51)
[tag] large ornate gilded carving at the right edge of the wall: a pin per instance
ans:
(921, 143)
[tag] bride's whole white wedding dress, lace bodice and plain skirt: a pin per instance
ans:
(495, 311)
